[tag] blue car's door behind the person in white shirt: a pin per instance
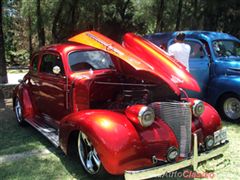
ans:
(198, 66)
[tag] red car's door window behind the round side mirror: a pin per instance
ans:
(49, 61)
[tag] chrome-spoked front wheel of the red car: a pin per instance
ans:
(89, 157)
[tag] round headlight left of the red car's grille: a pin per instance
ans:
(146, 116)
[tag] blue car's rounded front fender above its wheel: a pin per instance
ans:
(221, 85)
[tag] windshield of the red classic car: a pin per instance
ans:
(86, 60)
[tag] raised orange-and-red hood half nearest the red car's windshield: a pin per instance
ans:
(144, 69)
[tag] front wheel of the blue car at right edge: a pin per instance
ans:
(229, 107)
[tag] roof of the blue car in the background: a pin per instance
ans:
(205, 35)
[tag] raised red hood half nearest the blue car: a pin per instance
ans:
(161, 62)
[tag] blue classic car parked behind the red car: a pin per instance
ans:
(215, 63)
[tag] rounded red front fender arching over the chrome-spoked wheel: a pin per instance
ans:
(111, 134)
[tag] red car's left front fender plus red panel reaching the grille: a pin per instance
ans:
(119, 144)
